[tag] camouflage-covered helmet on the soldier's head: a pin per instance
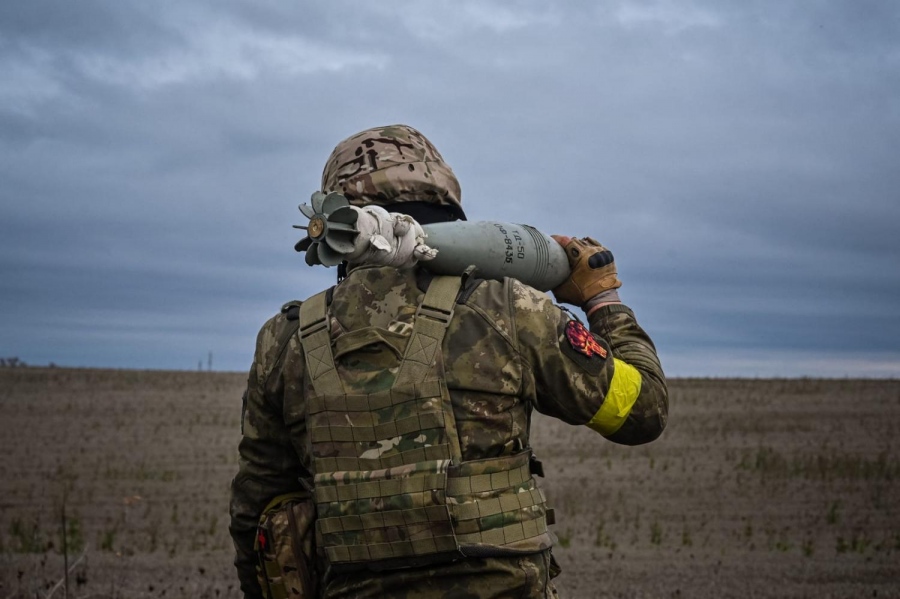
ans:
(388, 166)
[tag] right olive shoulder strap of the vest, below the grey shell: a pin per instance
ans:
(432, 318)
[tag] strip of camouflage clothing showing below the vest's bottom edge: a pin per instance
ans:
(525, 577)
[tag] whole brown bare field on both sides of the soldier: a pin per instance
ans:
(759, 488)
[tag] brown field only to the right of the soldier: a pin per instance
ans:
(757, 489)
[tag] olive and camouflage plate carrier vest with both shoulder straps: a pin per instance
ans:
(386, 508)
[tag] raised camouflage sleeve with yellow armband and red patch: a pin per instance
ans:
(607, 377)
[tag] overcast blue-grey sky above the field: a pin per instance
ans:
(741, 159)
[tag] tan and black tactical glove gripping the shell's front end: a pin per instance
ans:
(593, 271)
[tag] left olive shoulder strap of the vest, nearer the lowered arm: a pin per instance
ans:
(316, 341)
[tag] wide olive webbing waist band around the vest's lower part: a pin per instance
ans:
(495, 509)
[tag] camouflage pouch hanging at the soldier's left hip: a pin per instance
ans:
(285, 545)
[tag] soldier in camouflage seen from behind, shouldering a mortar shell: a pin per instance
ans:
(399, 404)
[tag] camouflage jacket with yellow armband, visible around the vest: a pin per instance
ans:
(532, 354)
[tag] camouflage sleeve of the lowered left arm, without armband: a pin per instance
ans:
(268, 464)
